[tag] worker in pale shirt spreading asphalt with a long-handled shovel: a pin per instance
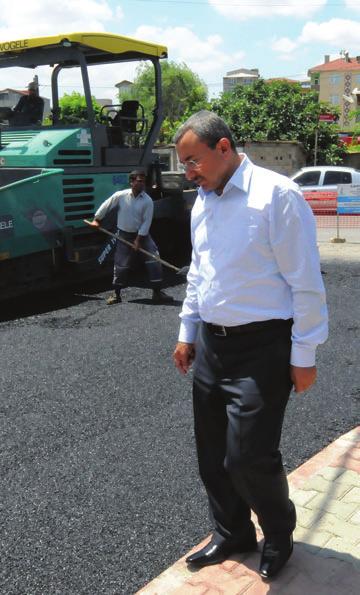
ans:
(135, 210)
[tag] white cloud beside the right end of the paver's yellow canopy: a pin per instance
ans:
(203, 56)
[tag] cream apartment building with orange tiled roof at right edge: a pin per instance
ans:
(338, 82)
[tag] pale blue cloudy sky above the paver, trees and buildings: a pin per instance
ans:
(282, 38)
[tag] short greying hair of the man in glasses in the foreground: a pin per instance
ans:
(208, 126)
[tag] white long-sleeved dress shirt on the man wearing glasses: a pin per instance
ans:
(255, 258)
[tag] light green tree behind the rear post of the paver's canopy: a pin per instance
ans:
(183, 93)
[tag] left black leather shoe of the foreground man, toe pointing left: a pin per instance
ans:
(218, 549)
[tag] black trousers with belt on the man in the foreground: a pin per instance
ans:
(241, 388)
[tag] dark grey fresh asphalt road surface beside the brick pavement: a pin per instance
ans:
(99, 488)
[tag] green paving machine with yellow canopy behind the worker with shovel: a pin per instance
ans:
(55, 173)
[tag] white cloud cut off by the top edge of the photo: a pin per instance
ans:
(244, 10)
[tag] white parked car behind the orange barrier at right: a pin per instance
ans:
(319, 185)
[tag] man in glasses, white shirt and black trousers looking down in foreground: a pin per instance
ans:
(252, 318)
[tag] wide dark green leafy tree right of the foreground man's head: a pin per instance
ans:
(280, 110)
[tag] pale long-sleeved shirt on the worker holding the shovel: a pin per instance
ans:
(135, 213)
